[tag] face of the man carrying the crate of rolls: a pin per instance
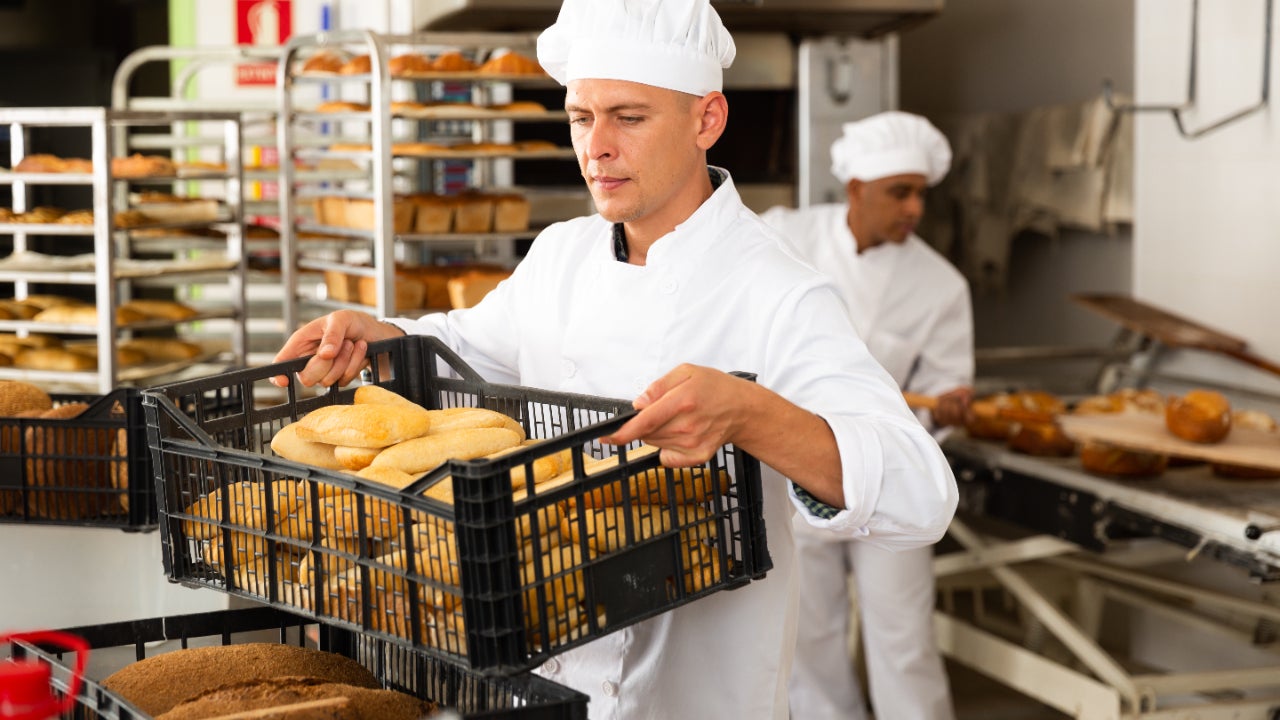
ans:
(638, 147)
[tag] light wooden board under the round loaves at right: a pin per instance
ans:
(1148, 432)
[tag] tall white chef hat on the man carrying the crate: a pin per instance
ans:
(675, 44)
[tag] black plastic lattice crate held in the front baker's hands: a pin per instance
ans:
(493, 582)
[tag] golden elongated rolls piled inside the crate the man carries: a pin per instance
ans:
(363, 557)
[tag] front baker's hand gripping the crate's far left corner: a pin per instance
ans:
(337, 344)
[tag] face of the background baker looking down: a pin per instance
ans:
(886, 209)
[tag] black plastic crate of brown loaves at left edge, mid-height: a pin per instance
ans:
(90, 471)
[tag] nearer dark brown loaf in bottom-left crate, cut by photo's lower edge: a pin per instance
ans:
(363, 704)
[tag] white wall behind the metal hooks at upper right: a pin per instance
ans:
(1208, 217)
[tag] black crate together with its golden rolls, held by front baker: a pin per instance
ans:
(380, 535)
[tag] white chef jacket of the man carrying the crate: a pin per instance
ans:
(721, 290)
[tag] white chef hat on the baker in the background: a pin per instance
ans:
(890, 144)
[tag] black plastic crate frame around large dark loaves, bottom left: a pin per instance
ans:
(527, 698)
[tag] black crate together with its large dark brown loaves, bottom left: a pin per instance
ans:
(263, 663)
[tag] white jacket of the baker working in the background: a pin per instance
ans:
(908, 303)
